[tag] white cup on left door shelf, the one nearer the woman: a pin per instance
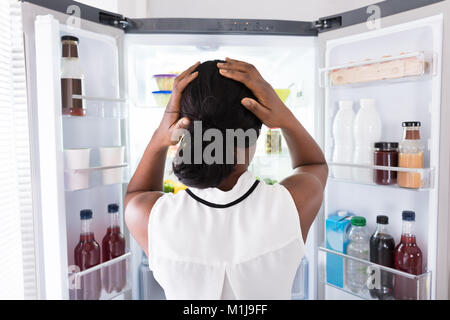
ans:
(112, 156)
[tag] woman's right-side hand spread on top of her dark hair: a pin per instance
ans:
(268, 108)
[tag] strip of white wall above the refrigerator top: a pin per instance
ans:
(306, 10)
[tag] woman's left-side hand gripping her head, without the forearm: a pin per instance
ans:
(171, 121)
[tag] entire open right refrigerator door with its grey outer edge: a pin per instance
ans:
(385, 33)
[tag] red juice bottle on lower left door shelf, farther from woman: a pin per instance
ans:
(87, 255)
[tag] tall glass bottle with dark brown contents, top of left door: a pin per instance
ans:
(71, 78)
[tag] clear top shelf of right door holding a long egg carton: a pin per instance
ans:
(398, 68)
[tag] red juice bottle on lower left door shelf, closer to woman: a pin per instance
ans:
(113, 246)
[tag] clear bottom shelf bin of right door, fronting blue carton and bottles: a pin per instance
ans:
(404, 285)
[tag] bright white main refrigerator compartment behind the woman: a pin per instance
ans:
(285, 62)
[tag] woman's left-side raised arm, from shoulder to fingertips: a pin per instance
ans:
(146, 185)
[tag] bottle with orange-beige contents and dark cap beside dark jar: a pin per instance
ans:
(411, 156)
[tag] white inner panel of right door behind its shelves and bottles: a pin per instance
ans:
(396, 101)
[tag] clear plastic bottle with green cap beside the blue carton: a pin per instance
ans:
(356, 272)
